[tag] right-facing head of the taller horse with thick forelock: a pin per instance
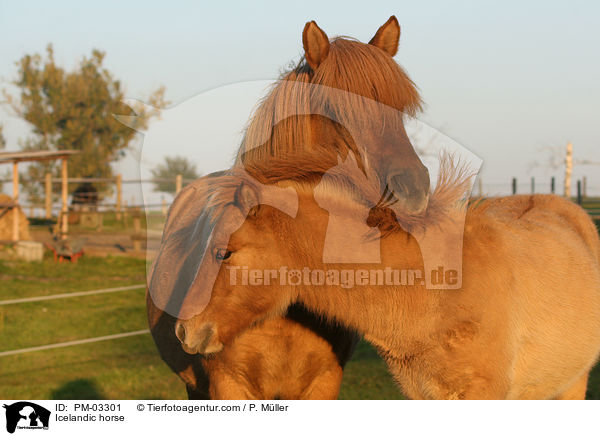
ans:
(368, 70)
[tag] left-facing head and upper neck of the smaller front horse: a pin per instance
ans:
(266, 240)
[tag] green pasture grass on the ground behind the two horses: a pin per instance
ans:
(127, 368)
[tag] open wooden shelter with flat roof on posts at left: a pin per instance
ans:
(32, 156)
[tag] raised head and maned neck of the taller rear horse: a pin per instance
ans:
(353, 85)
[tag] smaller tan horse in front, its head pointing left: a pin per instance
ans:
(524, 325)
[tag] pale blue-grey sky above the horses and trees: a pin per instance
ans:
(502, 78)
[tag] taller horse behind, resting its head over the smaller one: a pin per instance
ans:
(344, 96)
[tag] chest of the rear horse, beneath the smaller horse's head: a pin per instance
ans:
(296, 357)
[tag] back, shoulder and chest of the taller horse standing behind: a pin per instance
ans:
(299, 356)
